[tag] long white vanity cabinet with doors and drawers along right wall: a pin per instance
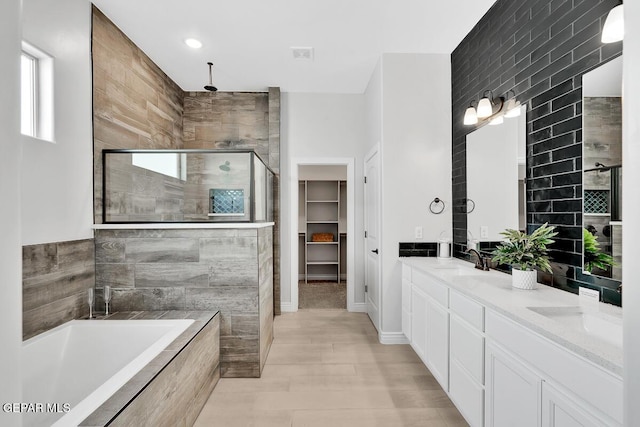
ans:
(498, 369)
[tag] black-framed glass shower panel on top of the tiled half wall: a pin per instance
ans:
(185, 186)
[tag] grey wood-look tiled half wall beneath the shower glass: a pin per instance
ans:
(197, 269)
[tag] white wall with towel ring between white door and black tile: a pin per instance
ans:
(416, 163)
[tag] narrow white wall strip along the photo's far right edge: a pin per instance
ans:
(630, 209)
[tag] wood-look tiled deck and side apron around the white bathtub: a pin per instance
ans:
(172, 389)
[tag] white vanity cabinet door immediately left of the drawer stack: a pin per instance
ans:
(437, 347)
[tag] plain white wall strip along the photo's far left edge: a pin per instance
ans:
(10, 248)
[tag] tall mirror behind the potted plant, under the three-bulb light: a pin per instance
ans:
(496, 179)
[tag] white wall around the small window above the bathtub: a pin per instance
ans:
(57, 178)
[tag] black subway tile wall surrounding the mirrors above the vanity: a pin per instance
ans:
(539, 49)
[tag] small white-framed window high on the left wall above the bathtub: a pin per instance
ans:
(36, 93)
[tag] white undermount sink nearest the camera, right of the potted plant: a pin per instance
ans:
(600, 325)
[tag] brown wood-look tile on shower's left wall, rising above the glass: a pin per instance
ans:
(135, 104)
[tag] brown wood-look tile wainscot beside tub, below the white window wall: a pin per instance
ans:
(55, 279)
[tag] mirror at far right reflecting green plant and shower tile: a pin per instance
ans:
(602, 170)
